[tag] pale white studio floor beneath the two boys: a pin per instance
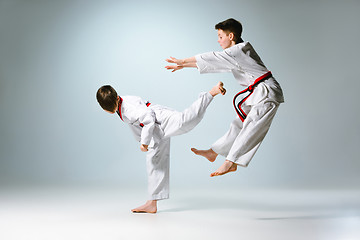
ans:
(99, 213)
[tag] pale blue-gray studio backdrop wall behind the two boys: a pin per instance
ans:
(54, 55)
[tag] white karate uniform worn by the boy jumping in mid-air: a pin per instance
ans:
(242, 140)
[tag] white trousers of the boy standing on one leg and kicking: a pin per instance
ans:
(171, 123)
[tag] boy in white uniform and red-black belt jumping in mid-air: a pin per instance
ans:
(255, 106)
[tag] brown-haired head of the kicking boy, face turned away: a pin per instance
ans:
(108, 98)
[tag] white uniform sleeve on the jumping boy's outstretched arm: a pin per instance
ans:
(215, 62)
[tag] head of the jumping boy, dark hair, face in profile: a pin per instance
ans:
(229, 32)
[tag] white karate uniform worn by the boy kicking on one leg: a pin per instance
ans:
(153, 126)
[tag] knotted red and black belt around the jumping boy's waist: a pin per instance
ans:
(241, 97)
